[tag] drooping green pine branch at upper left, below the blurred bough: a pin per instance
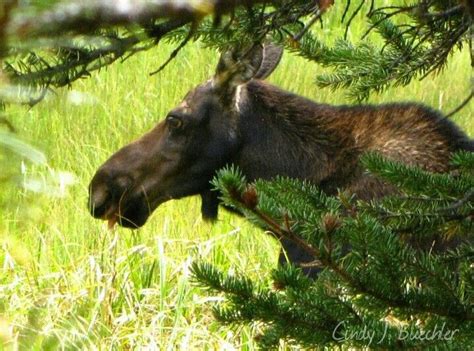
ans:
(70, 62)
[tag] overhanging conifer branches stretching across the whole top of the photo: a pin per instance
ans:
(51, 44)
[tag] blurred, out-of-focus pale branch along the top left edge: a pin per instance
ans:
(91, 15)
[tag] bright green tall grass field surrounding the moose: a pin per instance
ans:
(67, 281)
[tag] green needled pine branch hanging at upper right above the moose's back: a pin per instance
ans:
(411, 50)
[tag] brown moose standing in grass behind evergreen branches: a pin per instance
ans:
(237, 118)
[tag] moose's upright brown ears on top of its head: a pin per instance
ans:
(237, 67)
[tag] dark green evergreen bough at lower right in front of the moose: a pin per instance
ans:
(377, 288)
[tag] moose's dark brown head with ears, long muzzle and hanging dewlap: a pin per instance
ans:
(181, 154)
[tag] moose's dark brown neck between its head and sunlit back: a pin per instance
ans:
(284, 134)
